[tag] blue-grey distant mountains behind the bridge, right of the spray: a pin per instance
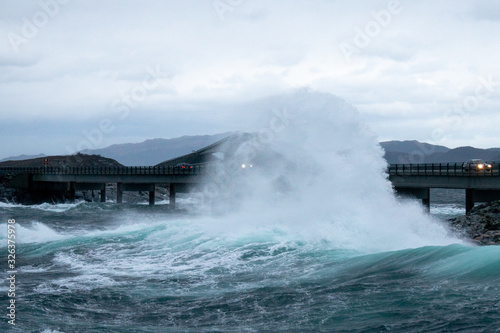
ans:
(420, 152)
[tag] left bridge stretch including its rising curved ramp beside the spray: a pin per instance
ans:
(65, 181)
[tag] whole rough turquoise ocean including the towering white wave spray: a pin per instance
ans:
(312, 241)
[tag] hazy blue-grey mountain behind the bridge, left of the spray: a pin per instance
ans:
(154, 151)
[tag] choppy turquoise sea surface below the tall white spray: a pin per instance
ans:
(108, 268)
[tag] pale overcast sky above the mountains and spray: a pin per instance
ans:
(87, 74)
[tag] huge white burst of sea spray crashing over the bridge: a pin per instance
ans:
(325, 181)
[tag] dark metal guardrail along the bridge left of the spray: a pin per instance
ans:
(145, 170)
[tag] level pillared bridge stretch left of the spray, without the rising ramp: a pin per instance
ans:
(68, 180)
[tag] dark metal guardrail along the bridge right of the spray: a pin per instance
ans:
(440, 169)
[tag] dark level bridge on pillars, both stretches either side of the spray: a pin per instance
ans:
(414, 180)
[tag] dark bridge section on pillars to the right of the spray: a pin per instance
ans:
(416, 180)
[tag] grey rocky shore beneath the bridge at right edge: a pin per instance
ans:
(482, 226)
